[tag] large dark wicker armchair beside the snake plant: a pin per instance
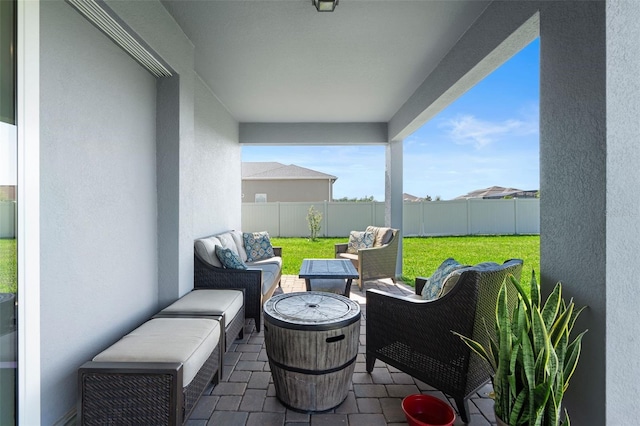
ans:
(415, 335)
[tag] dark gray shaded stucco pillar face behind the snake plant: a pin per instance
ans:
(573, 154)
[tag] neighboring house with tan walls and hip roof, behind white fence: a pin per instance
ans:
(271, 181)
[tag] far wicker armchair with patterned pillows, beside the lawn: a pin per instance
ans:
(375, 262)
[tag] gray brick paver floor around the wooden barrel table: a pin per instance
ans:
(246, 394)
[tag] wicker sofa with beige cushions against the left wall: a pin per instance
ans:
(259, 280)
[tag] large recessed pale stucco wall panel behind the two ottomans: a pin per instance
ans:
(98, 199)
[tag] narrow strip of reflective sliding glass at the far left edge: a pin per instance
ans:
(8, 214)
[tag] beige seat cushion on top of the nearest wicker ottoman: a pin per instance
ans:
(189, 341)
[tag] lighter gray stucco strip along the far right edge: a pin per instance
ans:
(622, 322)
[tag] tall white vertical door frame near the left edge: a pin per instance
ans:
(28, 198)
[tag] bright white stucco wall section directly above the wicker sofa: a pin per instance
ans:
(216, 171)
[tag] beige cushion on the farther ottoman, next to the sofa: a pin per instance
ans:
(209, 301)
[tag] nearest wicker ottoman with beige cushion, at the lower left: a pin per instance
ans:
(153, 375)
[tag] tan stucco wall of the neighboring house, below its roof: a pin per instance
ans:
(287, 190)
